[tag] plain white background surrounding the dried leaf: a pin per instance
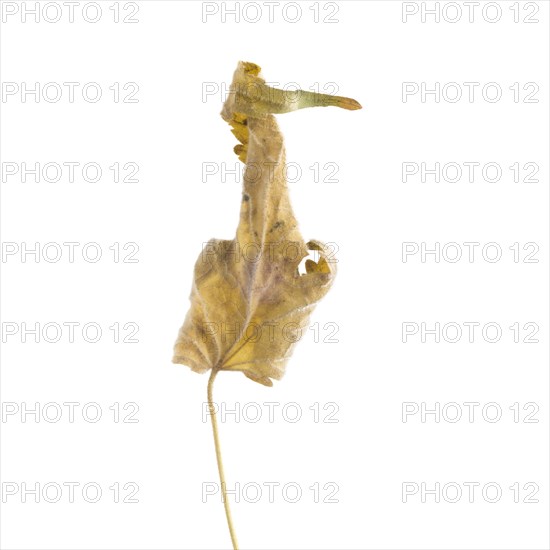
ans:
(174, 52)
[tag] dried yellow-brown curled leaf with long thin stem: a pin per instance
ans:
(252, 283)
